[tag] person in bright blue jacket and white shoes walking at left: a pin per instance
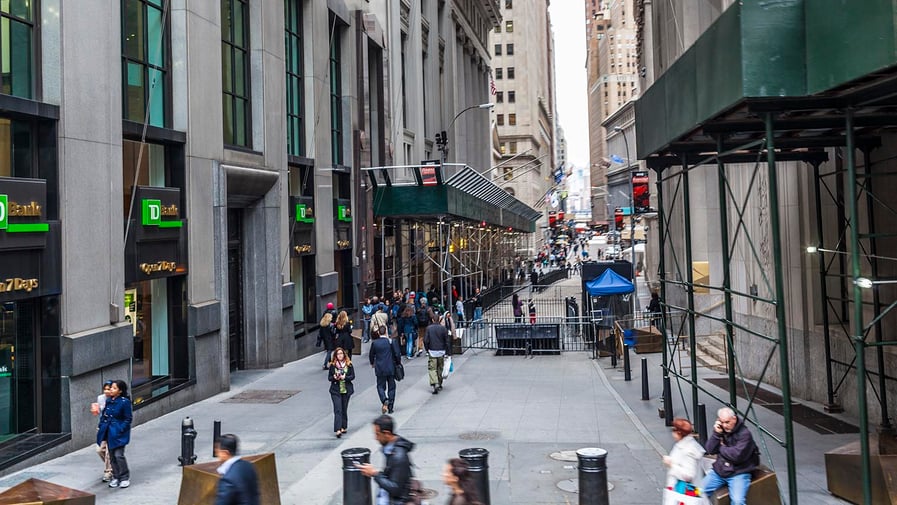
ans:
(115, 429)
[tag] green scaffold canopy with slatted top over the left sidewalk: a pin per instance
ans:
(458, 192)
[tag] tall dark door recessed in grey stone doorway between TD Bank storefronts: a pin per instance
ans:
(235, 288)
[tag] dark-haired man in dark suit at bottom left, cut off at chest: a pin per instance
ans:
(239, 484)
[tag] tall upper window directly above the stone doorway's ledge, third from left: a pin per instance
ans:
(235, 72)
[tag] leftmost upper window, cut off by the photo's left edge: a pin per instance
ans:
(18, 48)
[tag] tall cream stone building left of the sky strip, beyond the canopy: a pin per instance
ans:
(523, 71)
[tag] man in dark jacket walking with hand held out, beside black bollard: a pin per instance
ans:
(395, 480)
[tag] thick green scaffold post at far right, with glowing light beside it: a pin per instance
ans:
(857, 319)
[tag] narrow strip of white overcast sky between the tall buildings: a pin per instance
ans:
(569, 29)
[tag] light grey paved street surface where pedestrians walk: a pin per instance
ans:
(522, 410)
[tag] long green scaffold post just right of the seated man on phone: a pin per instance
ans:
(784, 362)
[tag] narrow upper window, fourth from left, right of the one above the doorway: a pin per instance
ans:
(295, 90)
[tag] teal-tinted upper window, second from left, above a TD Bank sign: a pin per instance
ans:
(144, 62)
